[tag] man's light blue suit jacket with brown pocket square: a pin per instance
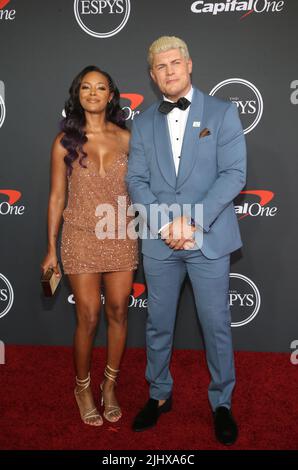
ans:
(212, 172)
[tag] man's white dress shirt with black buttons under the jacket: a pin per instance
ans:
(177, 119)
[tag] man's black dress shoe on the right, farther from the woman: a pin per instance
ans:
(225, 426)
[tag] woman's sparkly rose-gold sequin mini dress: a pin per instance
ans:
(95, 229)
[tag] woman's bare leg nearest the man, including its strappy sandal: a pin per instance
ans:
(117, 286)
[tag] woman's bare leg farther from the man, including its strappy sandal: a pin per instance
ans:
(86, 290)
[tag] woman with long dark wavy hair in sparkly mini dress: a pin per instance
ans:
(89, 163)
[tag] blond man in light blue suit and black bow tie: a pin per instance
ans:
(187, 163)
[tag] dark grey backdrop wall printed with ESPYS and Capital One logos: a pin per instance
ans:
(243, 51)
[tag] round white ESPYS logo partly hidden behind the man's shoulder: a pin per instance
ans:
(246, 96)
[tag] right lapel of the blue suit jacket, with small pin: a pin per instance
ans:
(189, 150)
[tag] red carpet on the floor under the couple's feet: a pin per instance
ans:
(38, 410)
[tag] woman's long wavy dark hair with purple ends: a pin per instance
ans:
(73, 124)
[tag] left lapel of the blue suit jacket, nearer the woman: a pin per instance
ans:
(163, 148)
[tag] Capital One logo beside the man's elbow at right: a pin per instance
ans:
(257, 206)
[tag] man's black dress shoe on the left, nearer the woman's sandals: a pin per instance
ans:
(148, 416)
